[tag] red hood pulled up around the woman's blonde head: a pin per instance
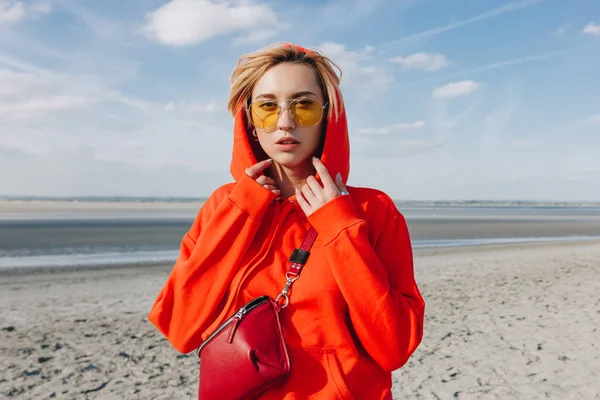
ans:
(336, 150)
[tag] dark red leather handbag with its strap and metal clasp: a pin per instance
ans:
(247, 354)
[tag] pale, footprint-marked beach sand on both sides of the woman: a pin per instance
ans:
(504, 322)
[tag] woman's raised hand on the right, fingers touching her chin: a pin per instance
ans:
(313, 196)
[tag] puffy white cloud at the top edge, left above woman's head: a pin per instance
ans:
(187, 22)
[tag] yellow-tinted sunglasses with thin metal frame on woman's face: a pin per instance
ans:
(264, 114)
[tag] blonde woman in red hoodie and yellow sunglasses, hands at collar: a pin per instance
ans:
(356, 313)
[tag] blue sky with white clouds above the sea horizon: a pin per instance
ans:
(446, 100)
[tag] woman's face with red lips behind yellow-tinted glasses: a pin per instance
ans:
(287, 141)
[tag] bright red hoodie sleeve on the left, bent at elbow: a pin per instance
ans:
(211, 250)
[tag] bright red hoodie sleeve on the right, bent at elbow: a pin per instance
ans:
(376, 280)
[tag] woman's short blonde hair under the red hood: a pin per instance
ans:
(251, 67)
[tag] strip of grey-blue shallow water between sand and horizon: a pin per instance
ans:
(92, 238)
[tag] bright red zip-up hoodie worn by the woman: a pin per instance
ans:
(355, 314)
